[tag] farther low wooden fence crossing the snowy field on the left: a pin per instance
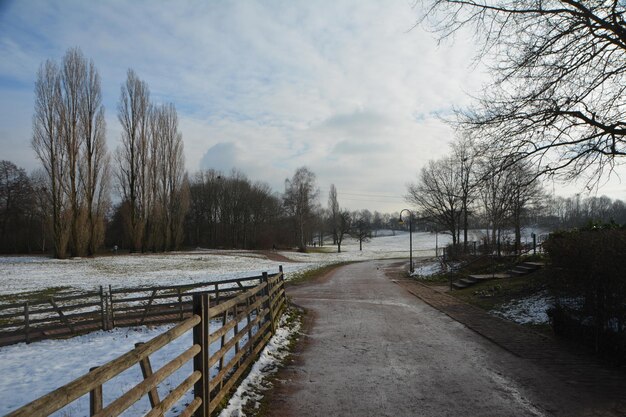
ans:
(74, 314)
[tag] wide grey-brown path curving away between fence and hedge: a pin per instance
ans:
(373, 349)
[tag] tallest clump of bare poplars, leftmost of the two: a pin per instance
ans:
(69, 140)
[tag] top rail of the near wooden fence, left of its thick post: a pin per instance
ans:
(64, 395)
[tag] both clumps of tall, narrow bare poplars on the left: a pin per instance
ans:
(69, 138)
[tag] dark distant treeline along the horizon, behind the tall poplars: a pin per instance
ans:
(232, 211)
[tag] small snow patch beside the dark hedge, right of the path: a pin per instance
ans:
(528, 310)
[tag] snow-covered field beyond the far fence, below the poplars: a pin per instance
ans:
(26, 274)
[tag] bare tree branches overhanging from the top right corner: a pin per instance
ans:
(557, 99)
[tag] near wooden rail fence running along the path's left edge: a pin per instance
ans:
(247, 321)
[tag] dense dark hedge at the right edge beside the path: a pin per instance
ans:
(588, 280)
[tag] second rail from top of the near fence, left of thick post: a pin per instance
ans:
(141, 389)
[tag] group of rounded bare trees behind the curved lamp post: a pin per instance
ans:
(470, 183)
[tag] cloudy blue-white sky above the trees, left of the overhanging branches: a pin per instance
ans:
(352, 90)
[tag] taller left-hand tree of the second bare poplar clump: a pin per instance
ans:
(133, 155)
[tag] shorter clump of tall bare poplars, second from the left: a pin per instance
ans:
(151, 175)
